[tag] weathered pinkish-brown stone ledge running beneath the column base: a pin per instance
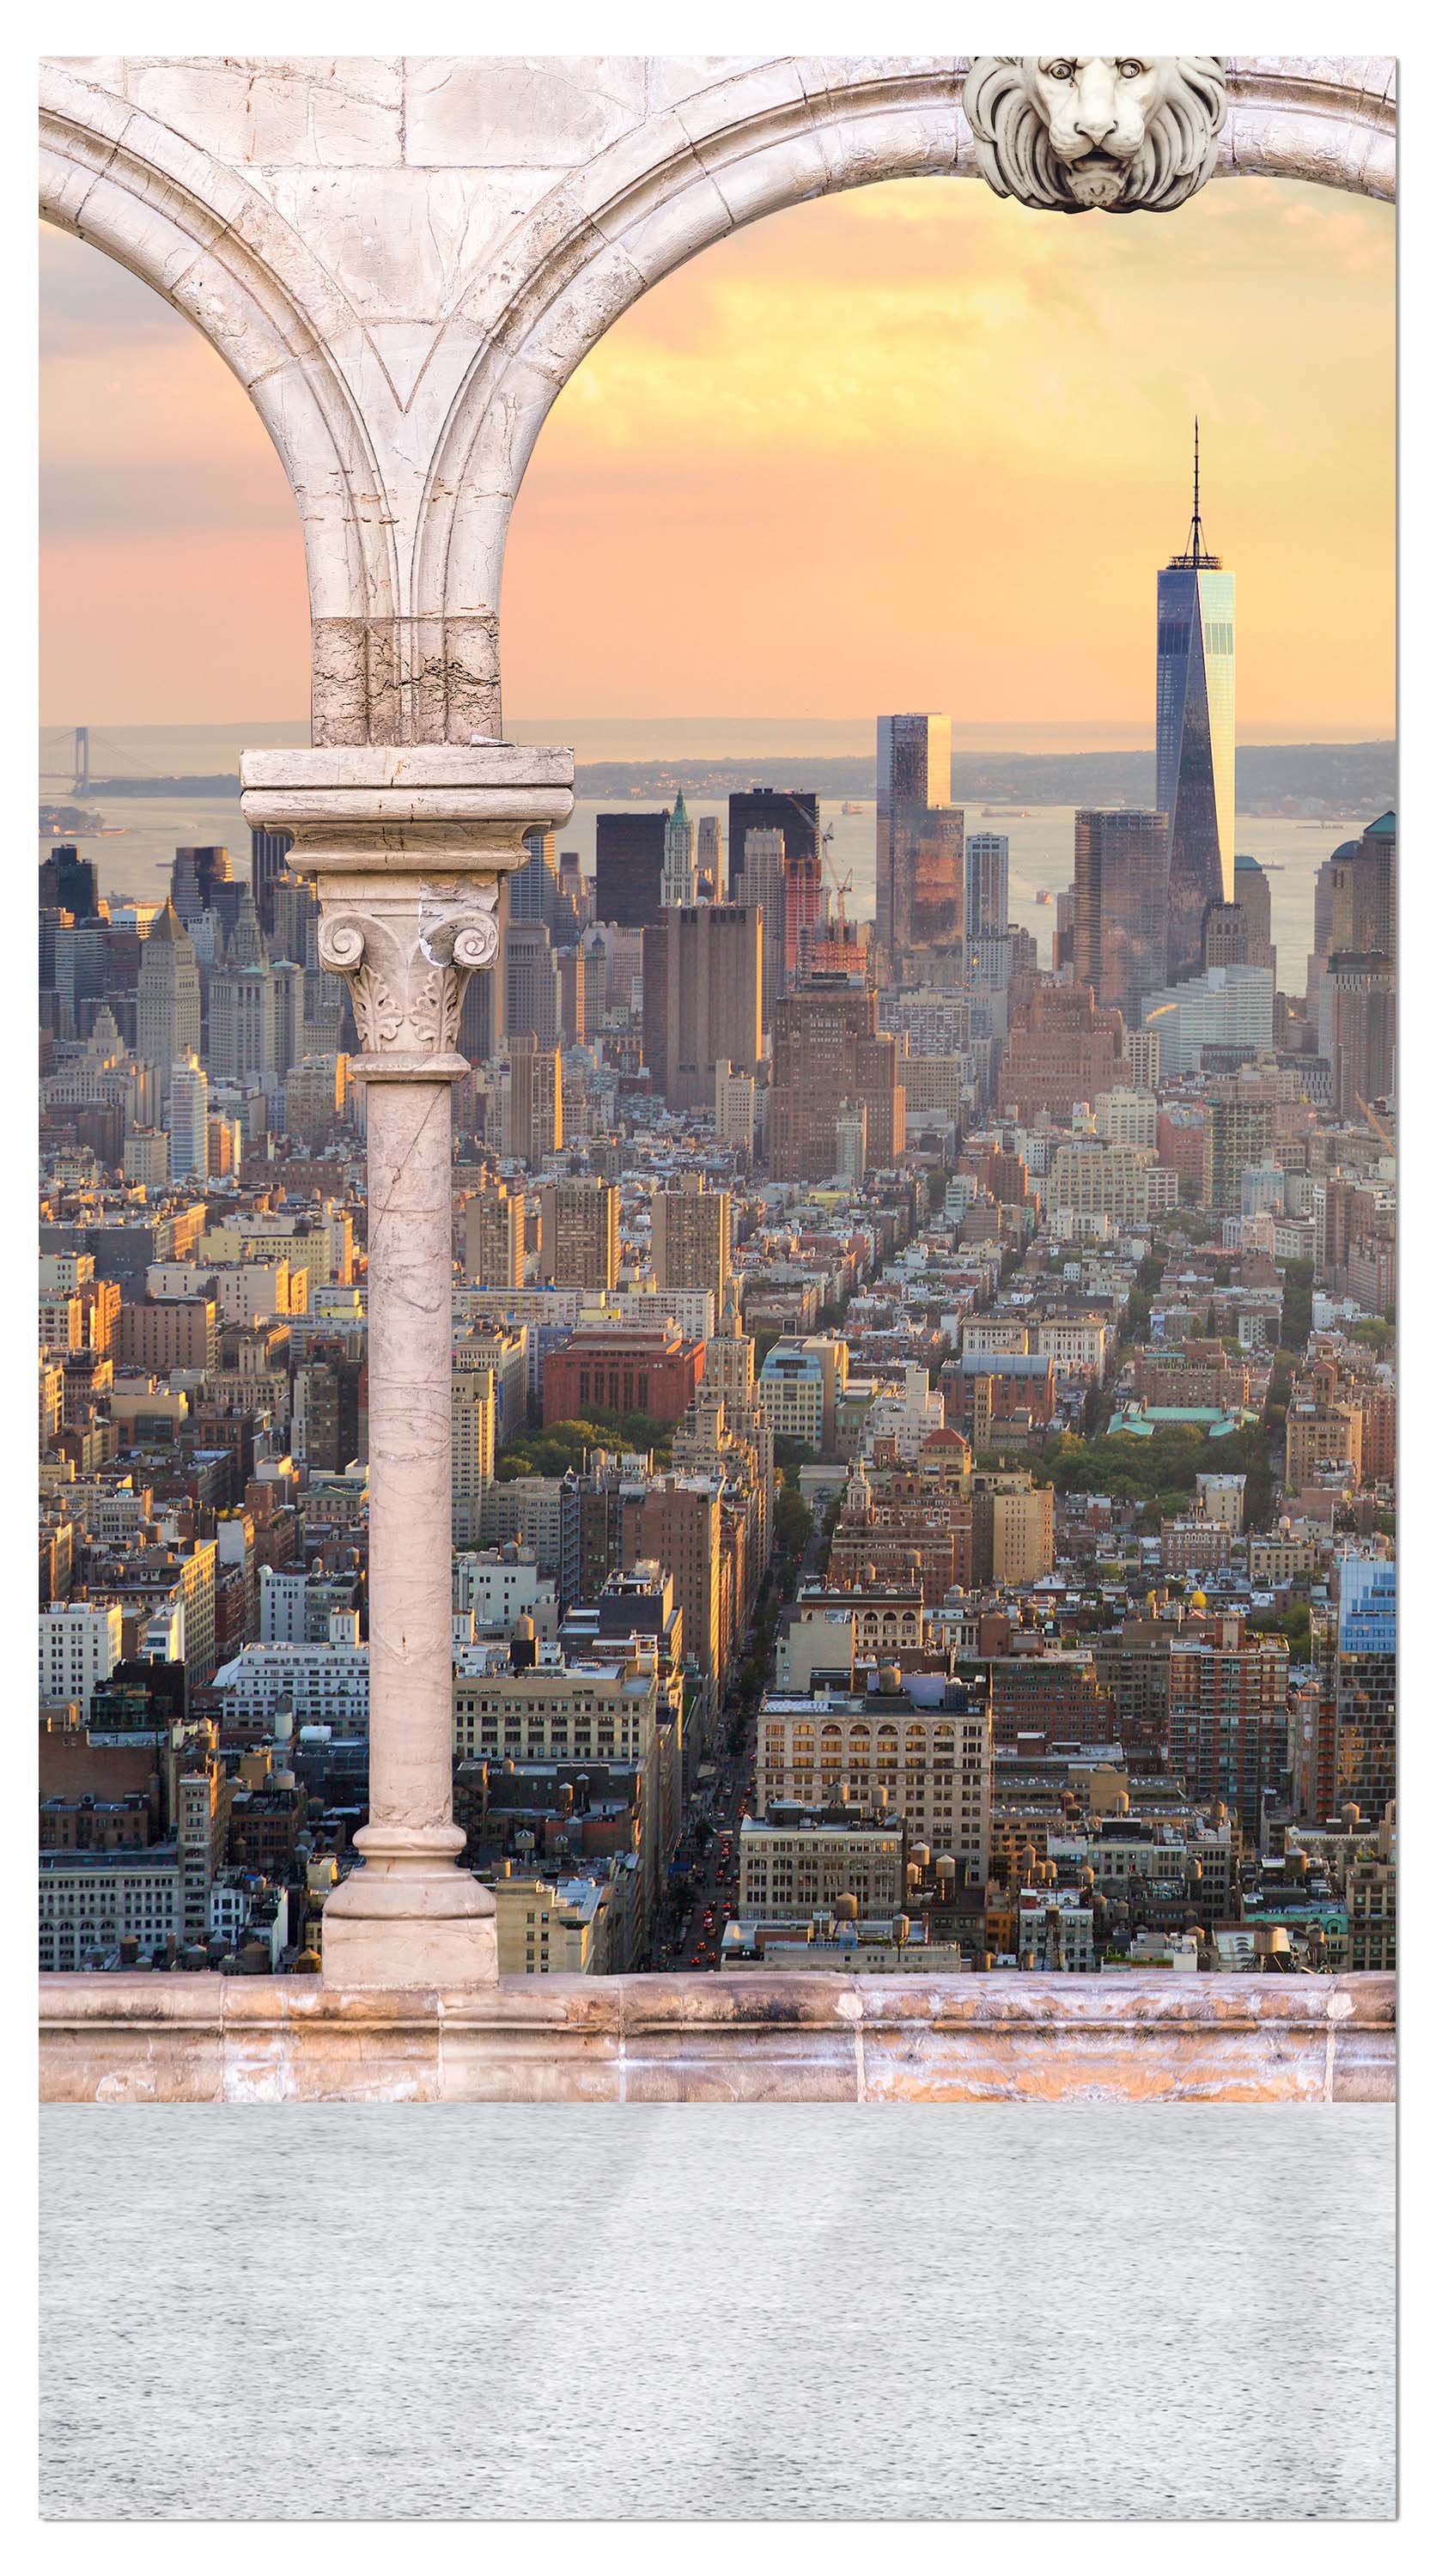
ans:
(718, 2039)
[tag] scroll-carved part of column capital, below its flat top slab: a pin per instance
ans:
(406, 957)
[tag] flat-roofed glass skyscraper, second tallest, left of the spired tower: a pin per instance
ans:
(919, 836)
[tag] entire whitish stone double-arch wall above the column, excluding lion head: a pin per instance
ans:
(406, 261)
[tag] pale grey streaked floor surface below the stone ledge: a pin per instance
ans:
(1004, 2315)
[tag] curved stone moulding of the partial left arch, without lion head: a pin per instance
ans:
(218, 254)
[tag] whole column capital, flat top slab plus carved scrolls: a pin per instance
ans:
(409, 849)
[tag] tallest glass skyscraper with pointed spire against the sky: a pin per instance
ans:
(1198, 730)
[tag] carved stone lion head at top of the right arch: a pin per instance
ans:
(1097, 130)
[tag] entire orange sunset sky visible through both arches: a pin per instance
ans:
(909, 447)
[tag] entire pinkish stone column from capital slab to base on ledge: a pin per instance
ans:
(406, 851)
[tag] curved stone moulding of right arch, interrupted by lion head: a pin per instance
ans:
(770, 138)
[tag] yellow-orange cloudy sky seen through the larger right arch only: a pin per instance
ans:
(927, 431)
